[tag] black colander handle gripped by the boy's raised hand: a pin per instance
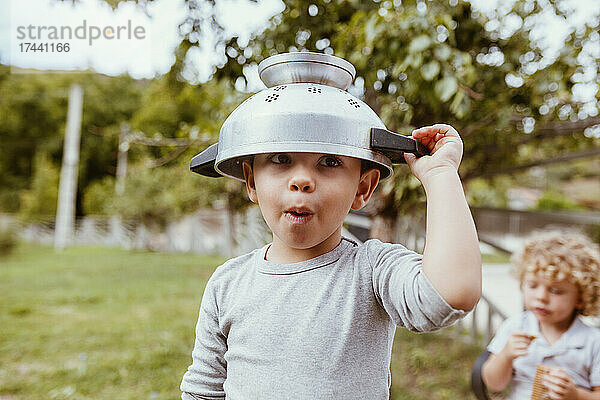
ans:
(393, 145)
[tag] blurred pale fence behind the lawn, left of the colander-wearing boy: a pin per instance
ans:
(204, 232)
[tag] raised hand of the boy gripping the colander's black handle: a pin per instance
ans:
(445, 146)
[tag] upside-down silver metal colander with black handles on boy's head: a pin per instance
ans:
(305, 108)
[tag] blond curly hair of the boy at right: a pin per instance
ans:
(564, 255)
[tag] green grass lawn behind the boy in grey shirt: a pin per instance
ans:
(95, 323)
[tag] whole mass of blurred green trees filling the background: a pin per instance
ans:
(418, 63)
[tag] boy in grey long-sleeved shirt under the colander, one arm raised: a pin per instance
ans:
(313, 315)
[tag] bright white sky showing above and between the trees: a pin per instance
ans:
(148, 33)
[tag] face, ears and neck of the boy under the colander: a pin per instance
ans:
(304, 198)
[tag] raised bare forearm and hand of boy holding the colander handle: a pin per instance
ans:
(451, 259)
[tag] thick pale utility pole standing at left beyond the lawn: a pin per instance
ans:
(67, 190)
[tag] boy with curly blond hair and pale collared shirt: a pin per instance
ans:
(559, 276)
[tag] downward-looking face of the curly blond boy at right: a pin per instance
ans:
(552, 302)
